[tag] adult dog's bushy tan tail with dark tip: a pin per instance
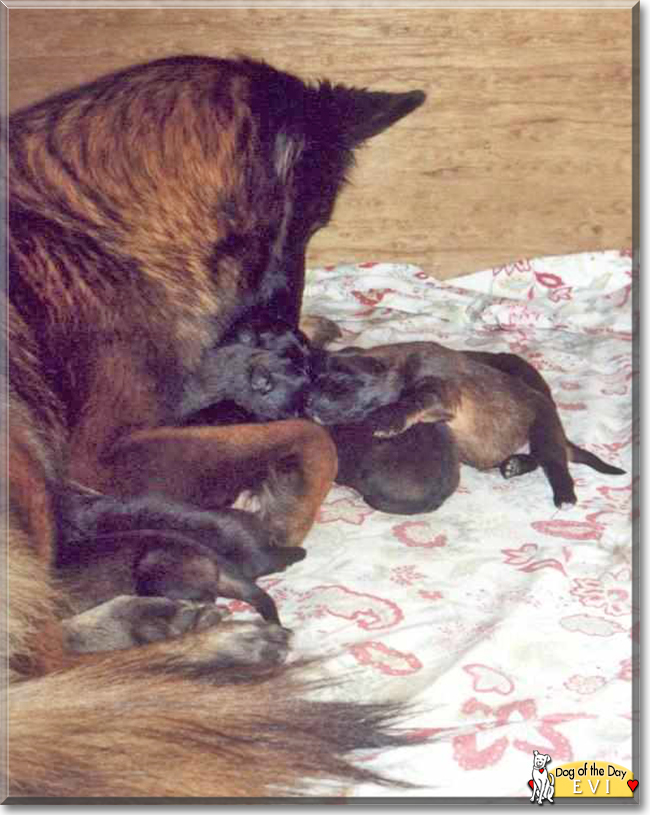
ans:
(136, 723)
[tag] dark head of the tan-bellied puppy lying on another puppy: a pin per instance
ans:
(347, 387)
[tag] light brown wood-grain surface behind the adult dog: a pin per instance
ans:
(523, 147)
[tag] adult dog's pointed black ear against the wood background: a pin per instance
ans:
(363, 114)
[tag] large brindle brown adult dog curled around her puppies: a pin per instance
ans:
(147, 212)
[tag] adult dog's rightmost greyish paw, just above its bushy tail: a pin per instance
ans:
(251, 643)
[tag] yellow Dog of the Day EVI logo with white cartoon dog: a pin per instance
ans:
(580, 779)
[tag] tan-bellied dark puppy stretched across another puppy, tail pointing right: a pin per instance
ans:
(492, 413)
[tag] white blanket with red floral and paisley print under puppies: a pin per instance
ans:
(507, 623)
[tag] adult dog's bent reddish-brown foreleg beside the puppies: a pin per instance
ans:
(208, 466)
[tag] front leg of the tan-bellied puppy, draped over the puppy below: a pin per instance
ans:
(433, 400)
